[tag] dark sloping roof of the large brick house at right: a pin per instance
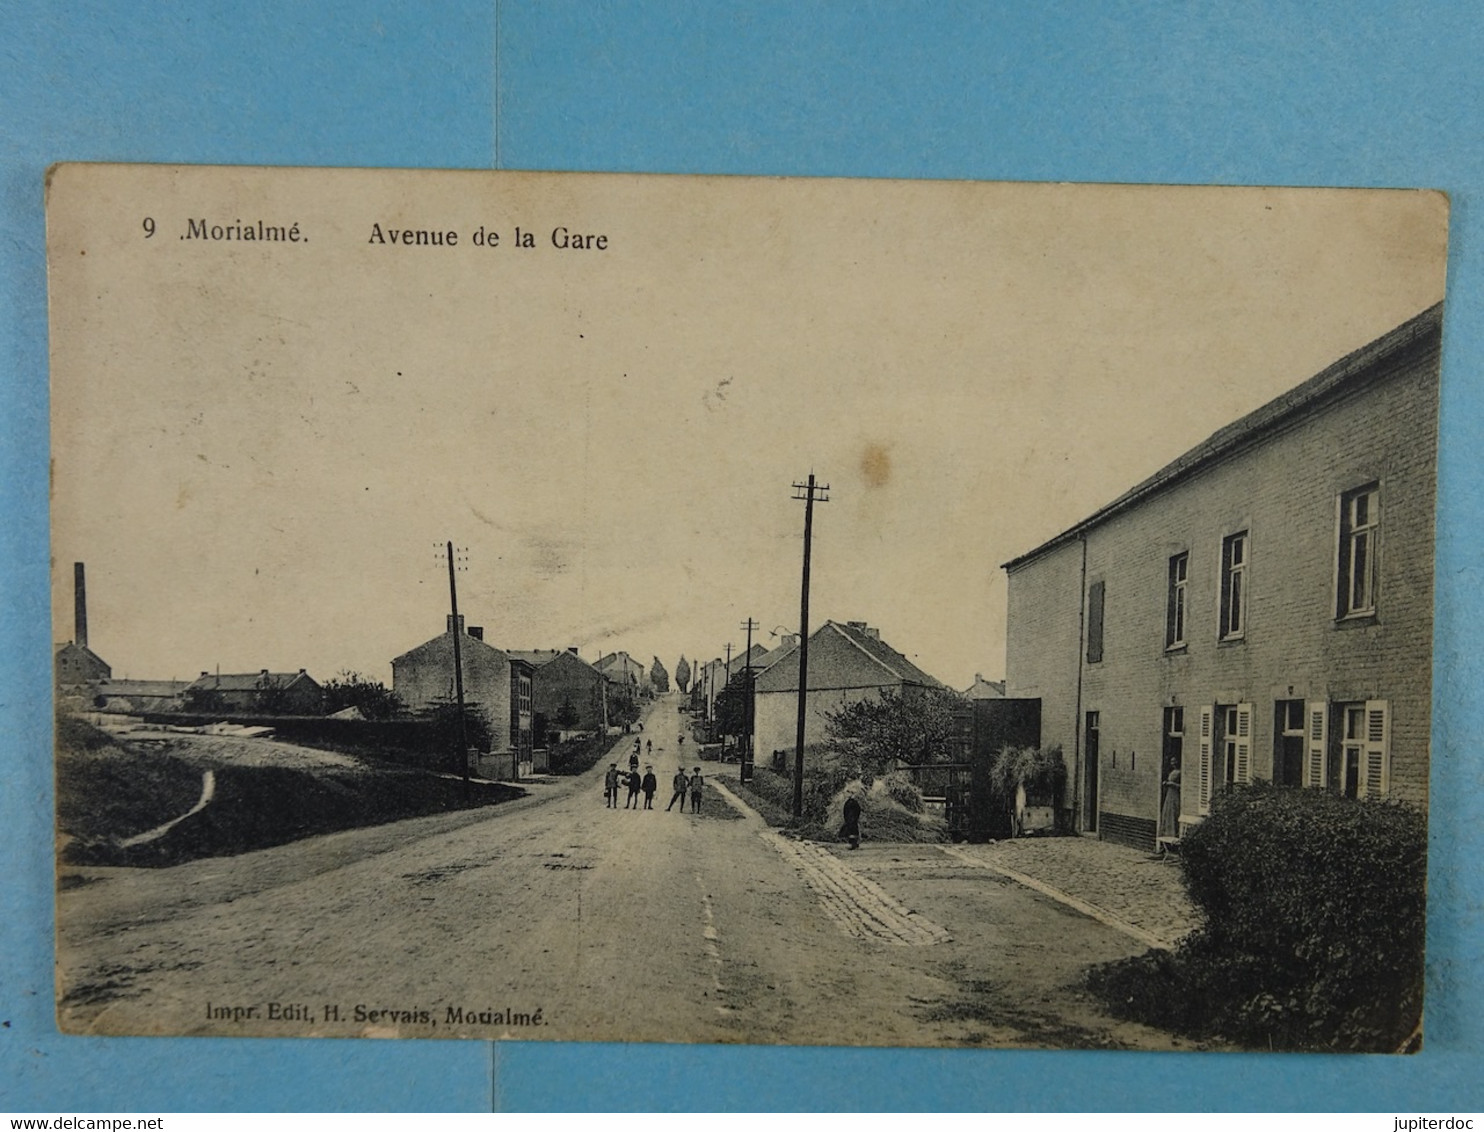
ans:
(1345, 376)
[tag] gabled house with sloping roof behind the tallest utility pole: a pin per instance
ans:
(848, 662)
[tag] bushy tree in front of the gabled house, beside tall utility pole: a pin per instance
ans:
(912, 726)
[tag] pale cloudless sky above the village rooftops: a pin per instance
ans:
(260, 449)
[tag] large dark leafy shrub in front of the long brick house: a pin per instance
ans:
(1314, 915)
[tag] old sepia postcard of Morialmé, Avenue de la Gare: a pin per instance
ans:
(677, 609)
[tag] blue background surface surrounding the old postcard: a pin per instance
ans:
(1264, 93)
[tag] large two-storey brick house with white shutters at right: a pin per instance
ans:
(1258, 609)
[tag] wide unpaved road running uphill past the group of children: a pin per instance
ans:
(614, 925)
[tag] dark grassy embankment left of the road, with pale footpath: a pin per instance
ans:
(109, 792)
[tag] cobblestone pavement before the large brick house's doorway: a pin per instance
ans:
(1129, 886)
